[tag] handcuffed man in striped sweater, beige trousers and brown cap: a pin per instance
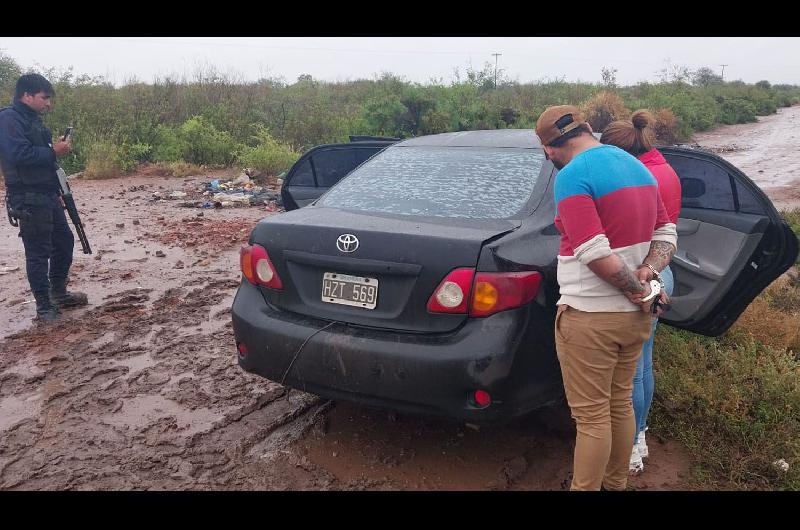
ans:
(611, 220)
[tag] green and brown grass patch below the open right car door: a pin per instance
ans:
(734, 401)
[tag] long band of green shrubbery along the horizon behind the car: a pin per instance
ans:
(210, 120)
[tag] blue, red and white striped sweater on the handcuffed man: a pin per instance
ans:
(606, 201)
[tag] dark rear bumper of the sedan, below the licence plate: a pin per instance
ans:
(428, 374)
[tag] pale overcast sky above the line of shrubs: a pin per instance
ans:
(420, 59)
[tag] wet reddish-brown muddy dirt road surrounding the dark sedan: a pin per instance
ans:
(141, 389)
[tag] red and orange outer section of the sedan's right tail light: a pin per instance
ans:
(498, 291)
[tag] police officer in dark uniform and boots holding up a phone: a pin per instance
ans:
(28, 163)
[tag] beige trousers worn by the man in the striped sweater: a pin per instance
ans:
(598, 353)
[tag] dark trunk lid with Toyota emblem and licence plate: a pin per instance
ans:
(387, 279)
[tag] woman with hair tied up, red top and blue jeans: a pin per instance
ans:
(636, 137)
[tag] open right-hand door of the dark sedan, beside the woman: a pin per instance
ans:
(731, 244)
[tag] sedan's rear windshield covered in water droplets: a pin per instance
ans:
(468, 182)
